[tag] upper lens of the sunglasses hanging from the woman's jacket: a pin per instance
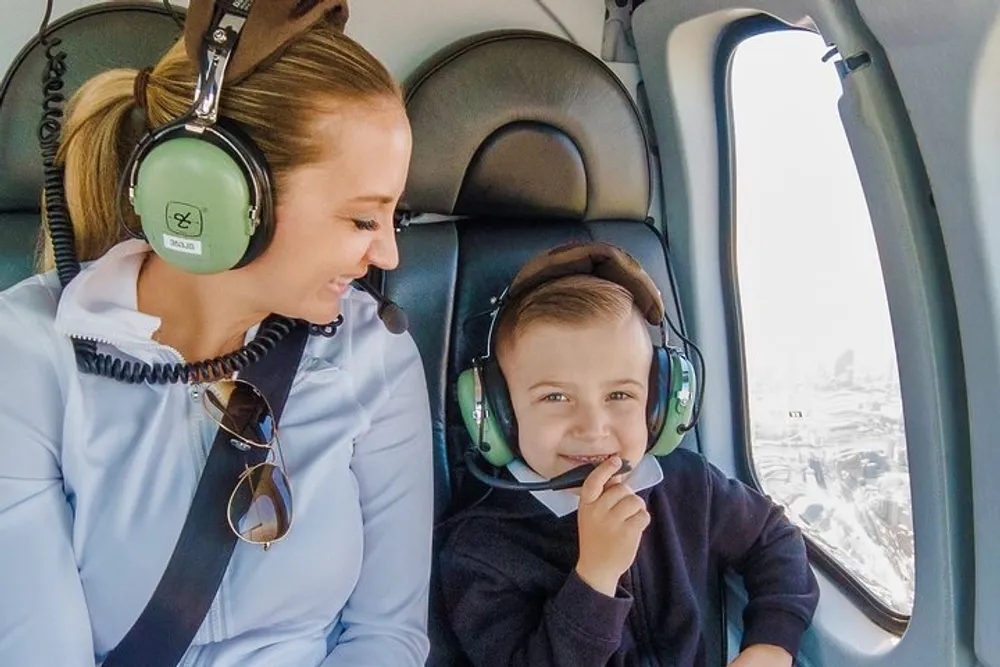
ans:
(241, 409)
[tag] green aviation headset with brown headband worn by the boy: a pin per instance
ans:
(483, 397)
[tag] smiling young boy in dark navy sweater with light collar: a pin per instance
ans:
(617, 572)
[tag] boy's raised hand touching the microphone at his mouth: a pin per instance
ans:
(611, 519)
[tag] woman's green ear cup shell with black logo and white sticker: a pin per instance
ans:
(194, 203)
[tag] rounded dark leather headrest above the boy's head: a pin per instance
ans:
(523, 124)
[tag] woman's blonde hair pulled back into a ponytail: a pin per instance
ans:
(275, 106)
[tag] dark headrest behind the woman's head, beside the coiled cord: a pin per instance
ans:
(94, 39)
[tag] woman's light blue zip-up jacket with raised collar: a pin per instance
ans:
(96, 478)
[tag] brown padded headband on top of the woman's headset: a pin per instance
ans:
(270, 26)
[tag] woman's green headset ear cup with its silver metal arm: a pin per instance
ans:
(199, 185)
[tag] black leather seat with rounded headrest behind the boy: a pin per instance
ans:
(521, 141)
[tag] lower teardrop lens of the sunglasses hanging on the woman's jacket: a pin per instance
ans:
(265, 494)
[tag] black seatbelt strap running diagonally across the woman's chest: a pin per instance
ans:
(168, 624)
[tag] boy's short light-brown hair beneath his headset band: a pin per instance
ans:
(574, 299)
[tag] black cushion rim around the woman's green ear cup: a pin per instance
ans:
(247, 155)
